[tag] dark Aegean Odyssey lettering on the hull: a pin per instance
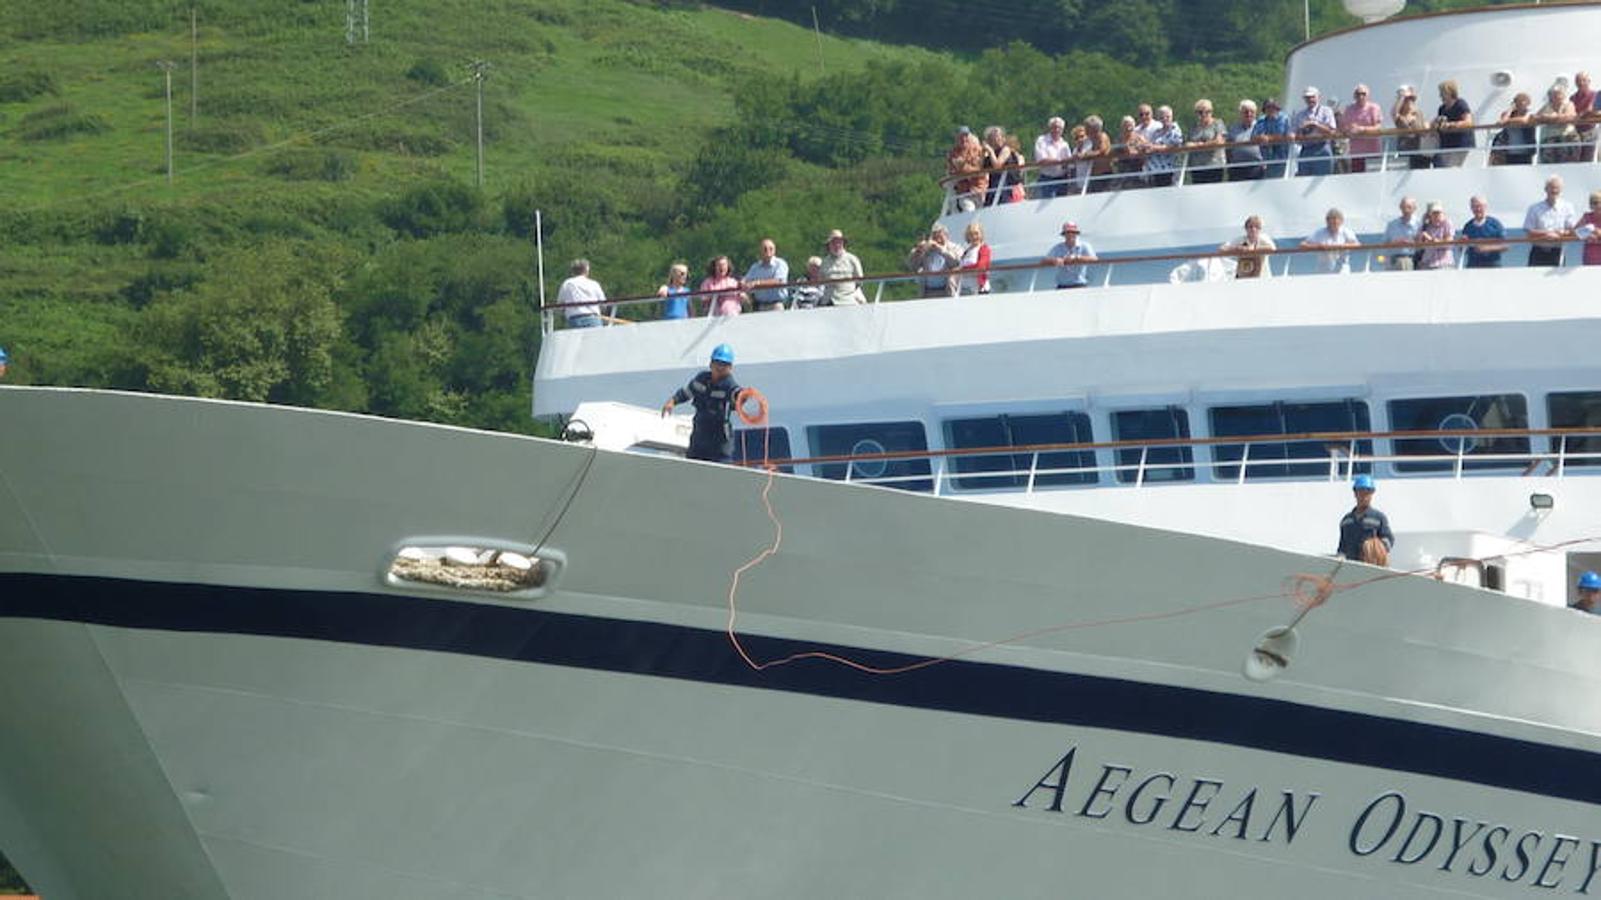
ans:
(1387, 830)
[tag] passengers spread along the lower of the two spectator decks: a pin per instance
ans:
(950, 268)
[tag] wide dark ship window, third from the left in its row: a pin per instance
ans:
(1021, 432)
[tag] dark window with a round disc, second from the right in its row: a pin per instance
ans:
(1461, 414)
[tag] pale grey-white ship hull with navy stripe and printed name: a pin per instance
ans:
(212, 693)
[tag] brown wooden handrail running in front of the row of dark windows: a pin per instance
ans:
(1333, 438)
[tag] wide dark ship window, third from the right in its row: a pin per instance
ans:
(1288, 419)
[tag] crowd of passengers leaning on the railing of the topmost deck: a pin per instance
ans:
(1149, 145)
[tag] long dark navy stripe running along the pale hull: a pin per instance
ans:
(702, 656)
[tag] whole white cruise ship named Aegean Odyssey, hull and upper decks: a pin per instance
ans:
(1019, 595)
